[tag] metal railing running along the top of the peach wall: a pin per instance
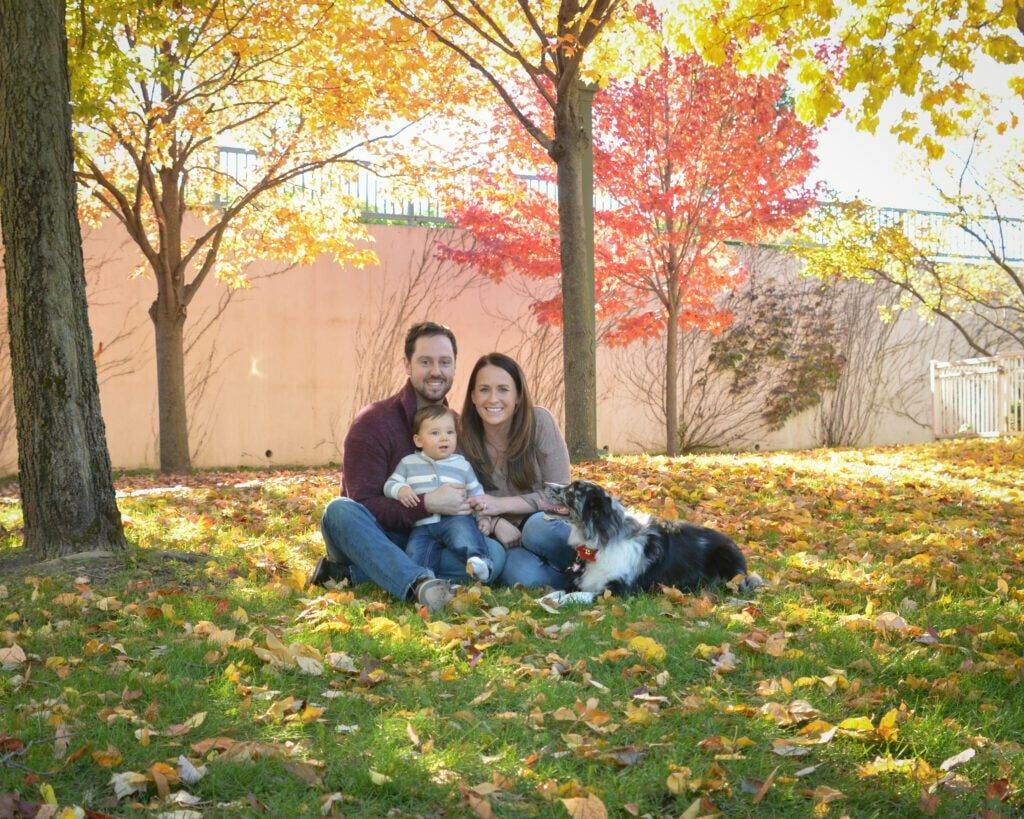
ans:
(379, 202)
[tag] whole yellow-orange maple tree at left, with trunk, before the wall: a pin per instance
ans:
(223, 132)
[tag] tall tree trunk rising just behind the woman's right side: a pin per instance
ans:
(579, 330)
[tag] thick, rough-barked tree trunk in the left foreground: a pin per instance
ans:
(64, 465)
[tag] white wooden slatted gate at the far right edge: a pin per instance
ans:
(978, 397)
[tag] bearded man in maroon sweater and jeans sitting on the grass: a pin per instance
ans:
(366, 532)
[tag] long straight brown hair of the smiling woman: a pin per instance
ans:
(521, 465)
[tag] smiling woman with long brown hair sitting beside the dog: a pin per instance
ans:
(515, 449)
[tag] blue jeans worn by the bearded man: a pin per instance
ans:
(354, 538)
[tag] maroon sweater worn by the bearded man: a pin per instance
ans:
(380, 437)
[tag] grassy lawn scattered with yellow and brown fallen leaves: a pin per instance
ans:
(880, 674)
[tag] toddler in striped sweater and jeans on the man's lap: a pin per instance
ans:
(438, 463)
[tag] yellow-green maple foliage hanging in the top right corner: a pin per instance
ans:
(862, 55)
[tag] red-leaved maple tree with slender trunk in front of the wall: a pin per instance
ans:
(694, 158)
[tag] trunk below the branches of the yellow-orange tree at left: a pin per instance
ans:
(169, 327)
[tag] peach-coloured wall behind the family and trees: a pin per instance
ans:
(283, 363)
